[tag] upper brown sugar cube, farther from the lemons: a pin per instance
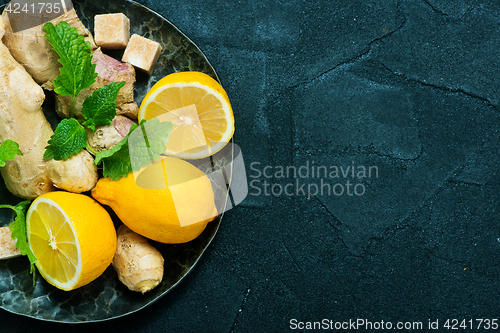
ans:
(111, 31)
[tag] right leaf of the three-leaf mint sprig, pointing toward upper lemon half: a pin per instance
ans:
(100, 108)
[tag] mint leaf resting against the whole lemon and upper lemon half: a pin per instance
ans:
(143, 145)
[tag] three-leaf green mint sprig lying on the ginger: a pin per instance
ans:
(76, 74)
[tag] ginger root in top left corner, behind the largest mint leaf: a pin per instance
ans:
(33, 51)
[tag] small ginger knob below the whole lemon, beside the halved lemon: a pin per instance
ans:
(138, 264)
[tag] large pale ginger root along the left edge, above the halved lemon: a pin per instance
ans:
(23, 121)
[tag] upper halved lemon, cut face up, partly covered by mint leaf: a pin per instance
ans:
(199, 110)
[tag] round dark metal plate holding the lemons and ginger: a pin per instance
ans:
(106, 298)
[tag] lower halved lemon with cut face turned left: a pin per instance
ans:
(72, 236)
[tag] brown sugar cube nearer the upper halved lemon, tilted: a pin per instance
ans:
(142, 53)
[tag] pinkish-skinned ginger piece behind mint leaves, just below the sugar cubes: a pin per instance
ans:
(108, 70)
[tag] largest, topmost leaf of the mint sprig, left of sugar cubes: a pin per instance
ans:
(77, 71)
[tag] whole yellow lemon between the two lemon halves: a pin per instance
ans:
(170, 201)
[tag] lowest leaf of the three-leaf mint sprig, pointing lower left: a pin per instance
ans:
(68, 139)
